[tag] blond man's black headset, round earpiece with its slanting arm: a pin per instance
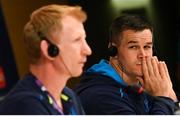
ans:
(53, 50)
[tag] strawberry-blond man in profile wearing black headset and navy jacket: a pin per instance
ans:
(55, 42)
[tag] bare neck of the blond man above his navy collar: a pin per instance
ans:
(53, 81)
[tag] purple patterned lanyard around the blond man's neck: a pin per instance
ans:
(51, 99)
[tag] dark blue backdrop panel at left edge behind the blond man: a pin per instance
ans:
(7, 61)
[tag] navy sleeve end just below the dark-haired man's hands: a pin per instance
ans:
(163, 105)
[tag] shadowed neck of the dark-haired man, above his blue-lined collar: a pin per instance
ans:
(129, 80)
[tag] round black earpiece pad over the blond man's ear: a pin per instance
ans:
(53, 50)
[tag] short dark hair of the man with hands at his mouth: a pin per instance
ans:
(128, 22)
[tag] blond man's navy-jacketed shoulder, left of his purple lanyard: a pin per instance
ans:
(24, 98)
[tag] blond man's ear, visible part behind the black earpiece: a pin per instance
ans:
(44, 49)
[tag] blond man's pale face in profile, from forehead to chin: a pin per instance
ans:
(73, 46)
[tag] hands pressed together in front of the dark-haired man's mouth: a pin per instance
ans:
(156, 80)
